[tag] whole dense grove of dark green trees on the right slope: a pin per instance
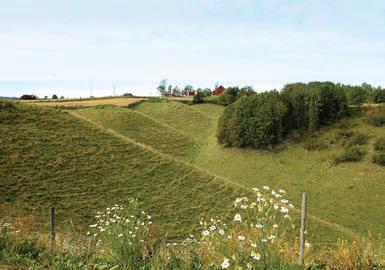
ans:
(261, 120)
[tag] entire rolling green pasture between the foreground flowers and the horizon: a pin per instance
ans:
(165, 153)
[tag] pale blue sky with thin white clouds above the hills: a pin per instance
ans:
(68, 47)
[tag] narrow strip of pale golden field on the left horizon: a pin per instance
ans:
(63, 103)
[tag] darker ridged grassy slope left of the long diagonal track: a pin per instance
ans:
(49, 157)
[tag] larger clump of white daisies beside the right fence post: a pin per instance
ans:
(258, 223)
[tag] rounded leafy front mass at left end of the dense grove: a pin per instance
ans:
(252, 121)
